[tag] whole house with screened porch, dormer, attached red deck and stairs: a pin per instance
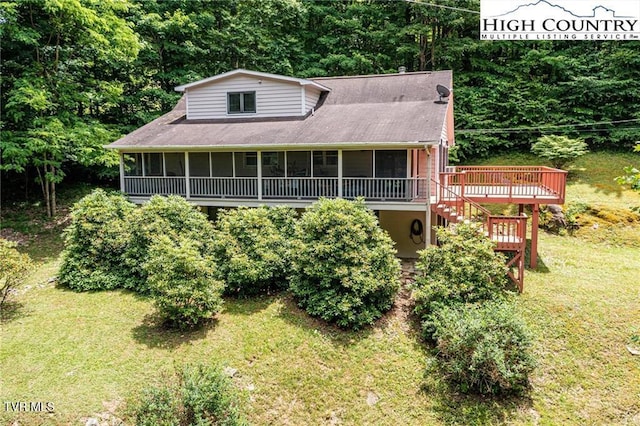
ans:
(246, 138)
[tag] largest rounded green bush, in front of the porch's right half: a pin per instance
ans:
(344, 265)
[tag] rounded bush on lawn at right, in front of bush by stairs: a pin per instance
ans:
(484, 348)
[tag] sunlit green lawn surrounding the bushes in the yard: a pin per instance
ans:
(89, 353)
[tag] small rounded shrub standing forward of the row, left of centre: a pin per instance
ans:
(182, 281)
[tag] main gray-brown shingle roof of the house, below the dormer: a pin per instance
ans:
(380, 109)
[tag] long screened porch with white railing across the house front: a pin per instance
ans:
(381, 175)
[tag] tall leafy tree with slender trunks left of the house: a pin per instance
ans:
(60, 60)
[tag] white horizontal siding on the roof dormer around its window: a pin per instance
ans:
(273, 99)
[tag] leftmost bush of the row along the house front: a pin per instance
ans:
(95, 242)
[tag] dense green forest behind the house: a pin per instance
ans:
(78, 74)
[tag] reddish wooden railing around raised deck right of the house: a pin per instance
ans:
(508, 182)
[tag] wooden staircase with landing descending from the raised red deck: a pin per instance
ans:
(509, 233)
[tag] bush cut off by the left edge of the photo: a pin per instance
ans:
(14, 267)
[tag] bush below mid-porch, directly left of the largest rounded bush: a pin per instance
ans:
(252, 248)
